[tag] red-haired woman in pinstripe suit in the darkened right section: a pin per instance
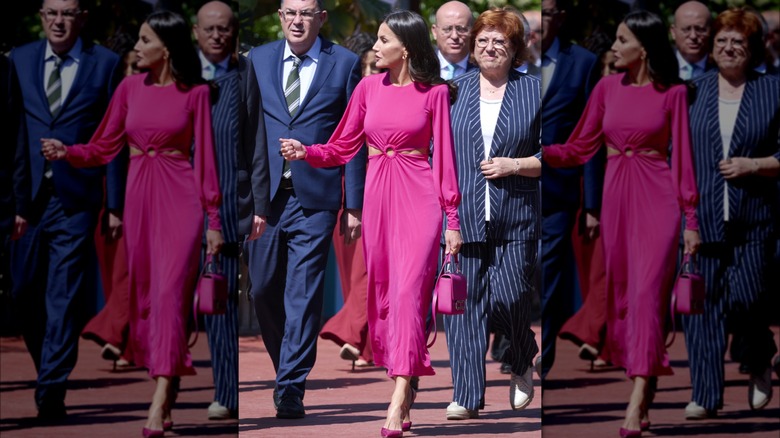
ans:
(734, 129)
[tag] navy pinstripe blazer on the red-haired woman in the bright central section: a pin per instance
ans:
(514, 200)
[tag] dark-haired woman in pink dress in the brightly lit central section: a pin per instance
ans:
(397, 114)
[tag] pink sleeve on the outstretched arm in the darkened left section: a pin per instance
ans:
(108, 139)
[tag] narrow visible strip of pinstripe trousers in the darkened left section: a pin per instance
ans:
(222, 331)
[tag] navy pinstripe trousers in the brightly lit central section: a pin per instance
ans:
(500, 277)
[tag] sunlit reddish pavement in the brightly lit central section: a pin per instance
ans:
(343, 403)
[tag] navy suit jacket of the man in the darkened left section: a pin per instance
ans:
(98, 74)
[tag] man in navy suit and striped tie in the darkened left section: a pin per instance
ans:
(66, 85)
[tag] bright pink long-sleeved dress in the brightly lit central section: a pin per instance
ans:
(402, 209)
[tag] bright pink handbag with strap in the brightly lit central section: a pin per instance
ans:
(449, 294)
